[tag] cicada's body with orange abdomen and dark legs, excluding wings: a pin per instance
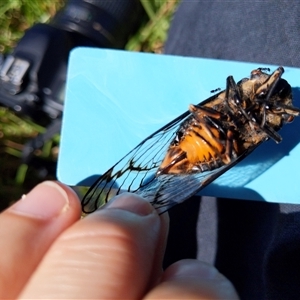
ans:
(229, 123)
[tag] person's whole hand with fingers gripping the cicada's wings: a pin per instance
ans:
(48, 252)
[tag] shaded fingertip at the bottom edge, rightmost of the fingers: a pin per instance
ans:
(192, 279)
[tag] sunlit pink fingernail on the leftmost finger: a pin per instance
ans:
(46, 201)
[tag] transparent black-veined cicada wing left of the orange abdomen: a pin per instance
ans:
(135, 170)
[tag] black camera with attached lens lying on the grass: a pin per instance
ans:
(33, 76)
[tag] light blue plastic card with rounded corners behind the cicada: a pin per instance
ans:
(115, 99)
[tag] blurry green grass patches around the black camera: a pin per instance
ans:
(15, 17)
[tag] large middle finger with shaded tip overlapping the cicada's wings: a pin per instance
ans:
(108, 255)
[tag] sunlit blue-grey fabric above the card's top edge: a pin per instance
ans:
(253, 31)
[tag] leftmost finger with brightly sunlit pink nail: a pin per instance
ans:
(28, 228)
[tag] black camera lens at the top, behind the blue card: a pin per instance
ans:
(106, 23)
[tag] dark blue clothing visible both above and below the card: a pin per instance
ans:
(254, 244)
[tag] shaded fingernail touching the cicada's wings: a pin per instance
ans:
(132, 203)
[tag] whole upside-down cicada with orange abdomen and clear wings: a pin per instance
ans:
(190, 152)
